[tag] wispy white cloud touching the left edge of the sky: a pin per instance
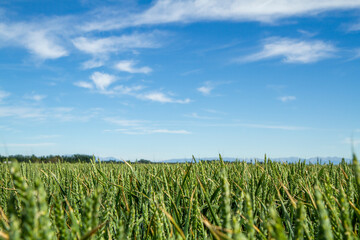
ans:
(41, 42)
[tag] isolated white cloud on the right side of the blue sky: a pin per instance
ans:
(293, 50)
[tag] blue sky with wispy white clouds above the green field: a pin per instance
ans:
(170, 79)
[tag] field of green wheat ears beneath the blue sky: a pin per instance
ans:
(202, 200)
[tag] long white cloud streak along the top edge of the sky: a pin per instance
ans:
(168, 11)
